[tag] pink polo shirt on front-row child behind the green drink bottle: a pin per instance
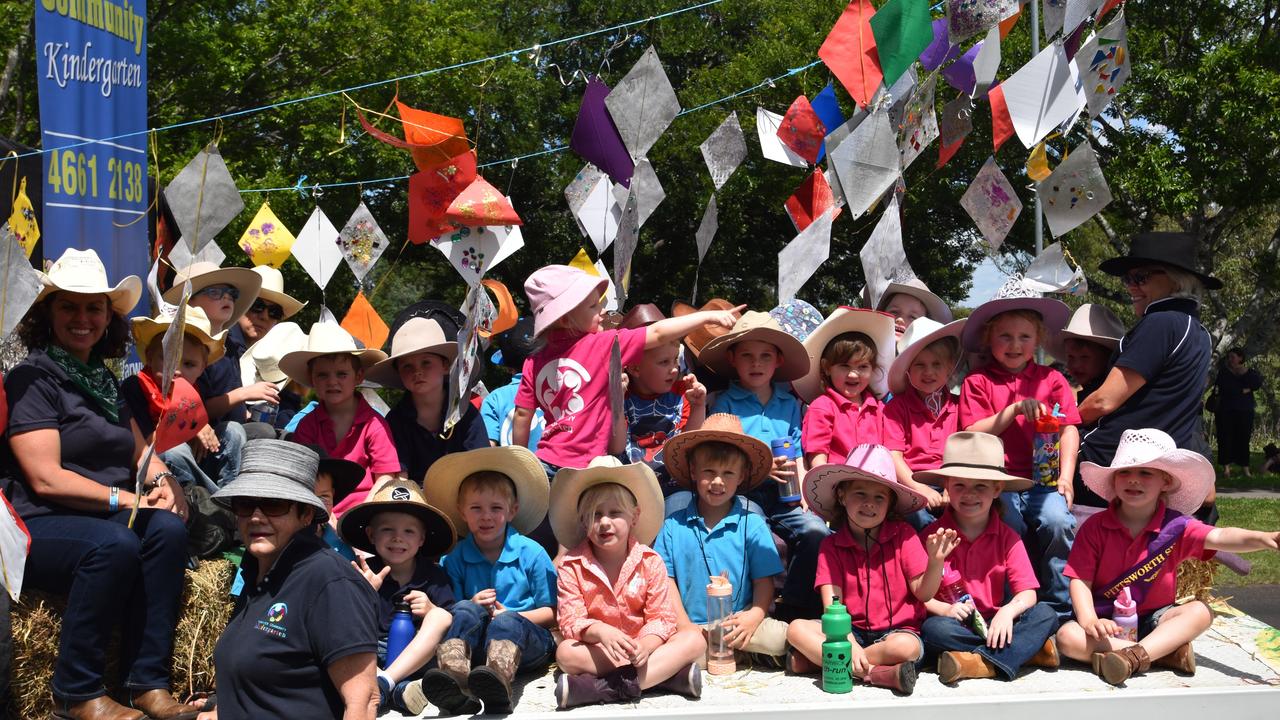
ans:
(876, 586)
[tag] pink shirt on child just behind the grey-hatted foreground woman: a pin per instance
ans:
(368, 444)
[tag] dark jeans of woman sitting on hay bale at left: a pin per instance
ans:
(111, 575)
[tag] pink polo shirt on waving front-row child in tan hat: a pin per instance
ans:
(995, 558)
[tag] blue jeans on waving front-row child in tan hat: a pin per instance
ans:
(1031, 631)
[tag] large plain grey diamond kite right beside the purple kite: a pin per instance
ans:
(643, 104)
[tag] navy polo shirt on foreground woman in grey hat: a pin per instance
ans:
(312, 610)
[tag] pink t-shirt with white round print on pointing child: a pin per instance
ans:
(569, 380)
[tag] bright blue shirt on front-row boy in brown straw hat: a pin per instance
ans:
(739, 545)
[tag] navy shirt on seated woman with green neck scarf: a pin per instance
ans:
(42, 397)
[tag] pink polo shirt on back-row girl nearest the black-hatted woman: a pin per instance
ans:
(991, 389)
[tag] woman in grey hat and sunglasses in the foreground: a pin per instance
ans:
(304, 635)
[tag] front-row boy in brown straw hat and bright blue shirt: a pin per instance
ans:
(717, 536)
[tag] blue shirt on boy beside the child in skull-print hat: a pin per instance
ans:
(523, 576)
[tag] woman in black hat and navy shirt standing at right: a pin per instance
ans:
(1163, 364)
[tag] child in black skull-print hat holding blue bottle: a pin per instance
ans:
(405, 535)
